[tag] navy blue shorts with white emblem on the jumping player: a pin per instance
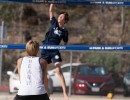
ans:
(51, 56)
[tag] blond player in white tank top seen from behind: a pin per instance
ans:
(32, 72)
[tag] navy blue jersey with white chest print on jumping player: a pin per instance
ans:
(55, 34)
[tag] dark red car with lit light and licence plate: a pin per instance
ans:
(92, 79)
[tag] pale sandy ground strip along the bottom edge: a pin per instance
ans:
(59, 96)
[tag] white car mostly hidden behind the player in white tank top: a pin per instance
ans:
(14, 82)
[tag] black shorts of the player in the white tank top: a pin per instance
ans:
(32, 97)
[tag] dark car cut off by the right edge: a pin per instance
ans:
(126, 83)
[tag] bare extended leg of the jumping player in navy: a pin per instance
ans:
(62, 80)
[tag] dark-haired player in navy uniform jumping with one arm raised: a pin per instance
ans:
(54, 36)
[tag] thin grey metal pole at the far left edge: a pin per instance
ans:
(1, 50)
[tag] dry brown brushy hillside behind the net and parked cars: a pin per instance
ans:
(90, 25)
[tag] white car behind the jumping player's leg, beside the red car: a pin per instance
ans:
(66, 73)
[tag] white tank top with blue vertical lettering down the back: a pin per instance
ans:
(31, 77)
